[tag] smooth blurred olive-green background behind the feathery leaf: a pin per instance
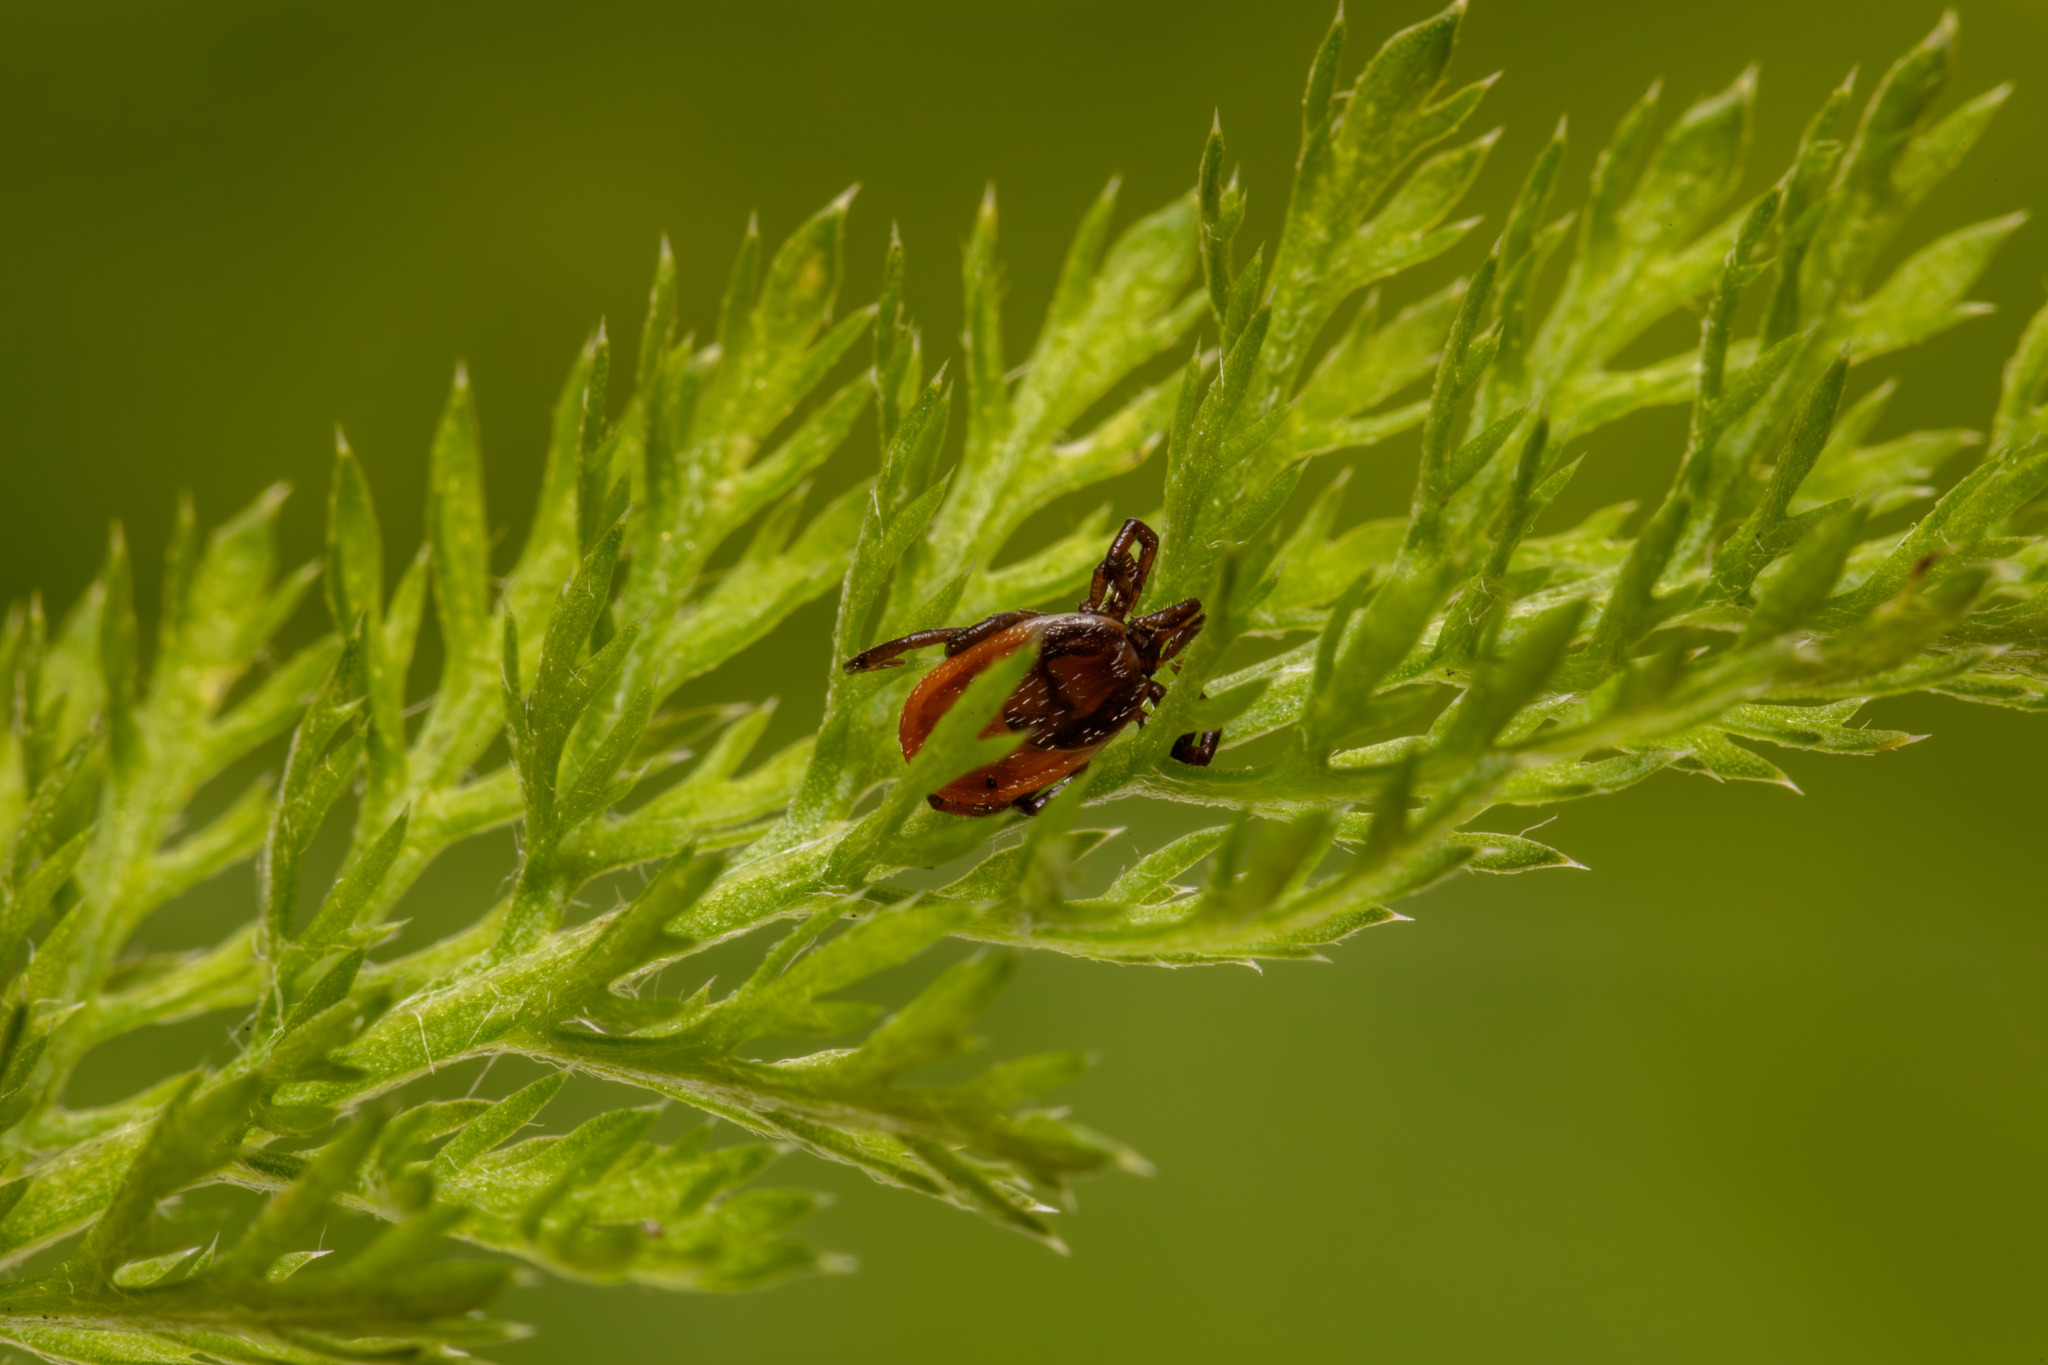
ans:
(1768, 1084)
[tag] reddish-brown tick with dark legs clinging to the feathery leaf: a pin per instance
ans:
(1093, 678)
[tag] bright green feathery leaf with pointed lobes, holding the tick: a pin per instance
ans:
(1383, 687)
